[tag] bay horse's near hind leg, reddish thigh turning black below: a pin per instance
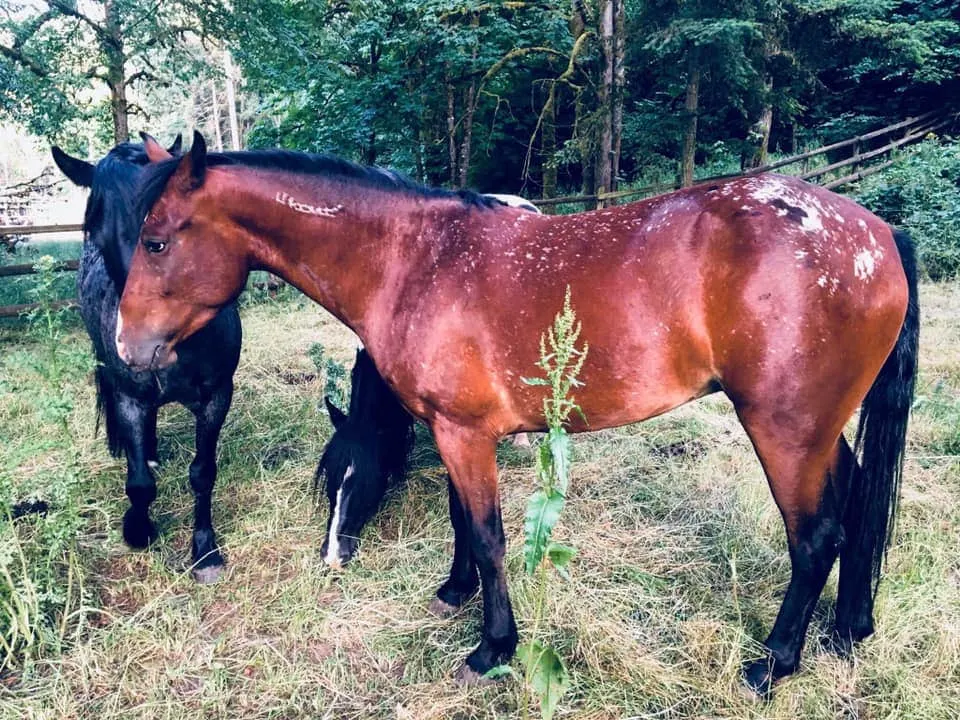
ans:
(804, 476)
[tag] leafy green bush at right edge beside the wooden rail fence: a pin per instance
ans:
(921, 194)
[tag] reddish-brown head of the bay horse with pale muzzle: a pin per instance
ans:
(187, 264)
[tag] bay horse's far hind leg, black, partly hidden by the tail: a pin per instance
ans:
(854, 620)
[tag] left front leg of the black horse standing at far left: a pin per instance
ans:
(134, 419)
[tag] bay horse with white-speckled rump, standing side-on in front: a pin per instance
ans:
(795, 302)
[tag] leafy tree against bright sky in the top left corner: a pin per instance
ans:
(54, 57)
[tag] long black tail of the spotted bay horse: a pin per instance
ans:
(881, 434)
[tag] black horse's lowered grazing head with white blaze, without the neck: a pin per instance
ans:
(356, 482)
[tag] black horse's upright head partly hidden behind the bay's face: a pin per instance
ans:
(110, 221)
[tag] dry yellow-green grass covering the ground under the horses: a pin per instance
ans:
(680, 570)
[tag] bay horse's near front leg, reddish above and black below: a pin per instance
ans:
(470, 457)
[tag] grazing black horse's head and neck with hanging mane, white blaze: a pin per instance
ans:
(369, 448)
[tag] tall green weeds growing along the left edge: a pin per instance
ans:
(40, 581)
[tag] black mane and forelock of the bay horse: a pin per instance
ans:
(158, 174)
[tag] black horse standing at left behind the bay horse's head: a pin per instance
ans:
(201, 379)
